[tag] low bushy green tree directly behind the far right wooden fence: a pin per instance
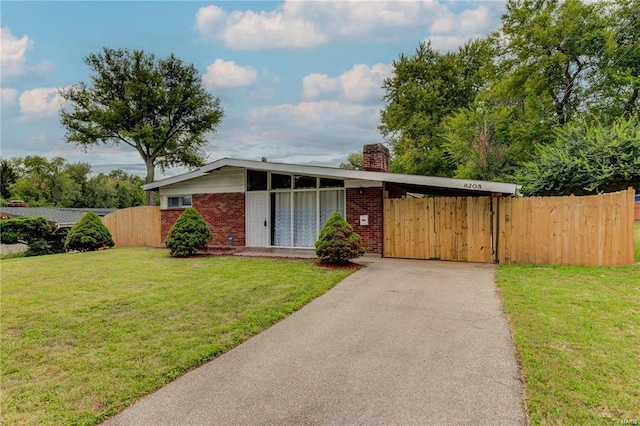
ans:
(588, 158)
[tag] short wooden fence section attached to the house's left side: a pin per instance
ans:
(135, 226)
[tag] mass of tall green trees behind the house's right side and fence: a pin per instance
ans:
(490, 109)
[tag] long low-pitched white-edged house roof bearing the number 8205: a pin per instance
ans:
(461, 186)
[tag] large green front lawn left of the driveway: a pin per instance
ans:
(85, 335)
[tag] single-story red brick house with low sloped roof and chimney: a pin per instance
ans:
(260, 204)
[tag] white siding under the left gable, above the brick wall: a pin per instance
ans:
(227, 179)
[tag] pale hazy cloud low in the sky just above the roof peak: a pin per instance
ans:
(320, 132)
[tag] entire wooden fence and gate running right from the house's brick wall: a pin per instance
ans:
(591, 230)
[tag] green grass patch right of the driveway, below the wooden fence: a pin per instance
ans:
(577, 330)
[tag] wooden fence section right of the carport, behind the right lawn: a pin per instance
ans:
(590, 230)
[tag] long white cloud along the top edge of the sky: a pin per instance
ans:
(304, 24)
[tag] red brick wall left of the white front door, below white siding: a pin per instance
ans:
(224, 213)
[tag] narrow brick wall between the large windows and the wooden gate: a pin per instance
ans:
(369, 203)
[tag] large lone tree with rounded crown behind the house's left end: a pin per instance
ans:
(156, 106)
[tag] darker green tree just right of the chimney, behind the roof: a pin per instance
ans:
(424, 89)
